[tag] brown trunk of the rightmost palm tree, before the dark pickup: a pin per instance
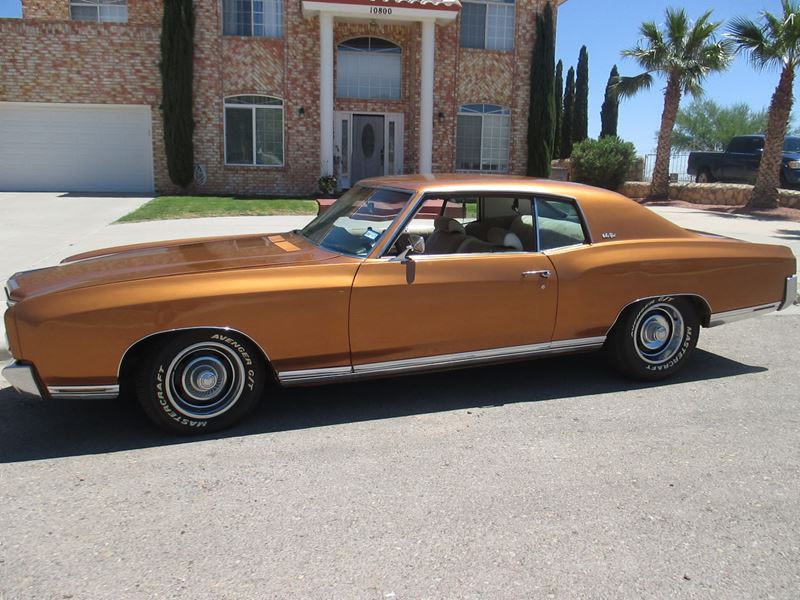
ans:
(765, 192)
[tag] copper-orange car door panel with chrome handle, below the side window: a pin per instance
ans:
(434, 306)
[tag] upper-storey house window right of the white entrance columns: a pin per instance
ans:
(488, 25)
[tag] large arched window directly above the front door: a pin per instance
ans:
(368, 68)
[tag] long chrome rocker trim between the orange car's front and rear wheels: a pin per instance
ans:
(442, 361)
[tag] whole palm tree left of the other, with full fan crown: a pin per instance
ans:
(684, 54)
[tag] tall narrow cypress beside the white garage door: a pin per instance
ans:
(177, 72)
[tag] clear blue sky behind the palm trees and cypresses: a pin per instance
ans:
(608, 26)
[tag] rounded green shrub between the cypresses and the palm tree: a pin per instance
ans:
(604, 162)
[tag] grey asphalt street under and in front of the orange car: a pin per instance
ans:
(551, 478)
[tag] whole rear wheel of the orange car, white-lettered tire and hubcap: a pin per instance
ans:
(654, 338)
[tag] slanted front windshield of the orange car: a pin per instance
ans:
(357, 221)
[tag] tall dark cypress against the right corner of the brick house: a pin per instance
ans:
(541, 116)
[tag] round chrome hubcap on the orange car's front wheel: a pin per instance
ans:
(205, 380)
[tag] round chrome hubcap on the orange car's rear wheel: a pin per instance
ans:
(659, 333)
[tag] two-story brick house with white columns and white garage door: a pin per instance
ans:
(285, 90)
